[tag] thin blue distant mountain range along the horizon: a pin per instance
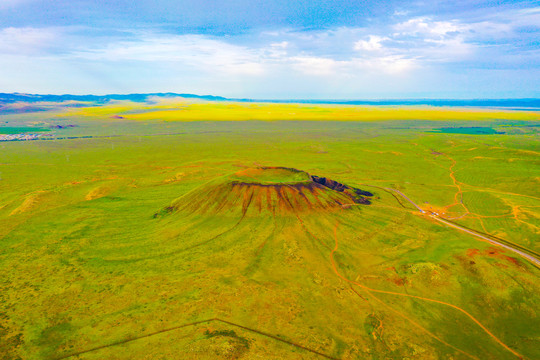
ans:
(527, 103)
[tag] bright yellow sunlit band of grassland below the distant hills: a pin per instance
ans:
(233, 111)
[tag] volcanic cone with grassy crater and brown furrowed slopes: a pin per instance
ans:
(270, 190)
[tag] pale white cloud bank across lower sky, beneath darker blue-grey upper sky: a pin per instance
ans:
(493, 55)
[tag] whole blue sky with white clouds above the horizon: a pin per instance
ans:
(273, 49)
